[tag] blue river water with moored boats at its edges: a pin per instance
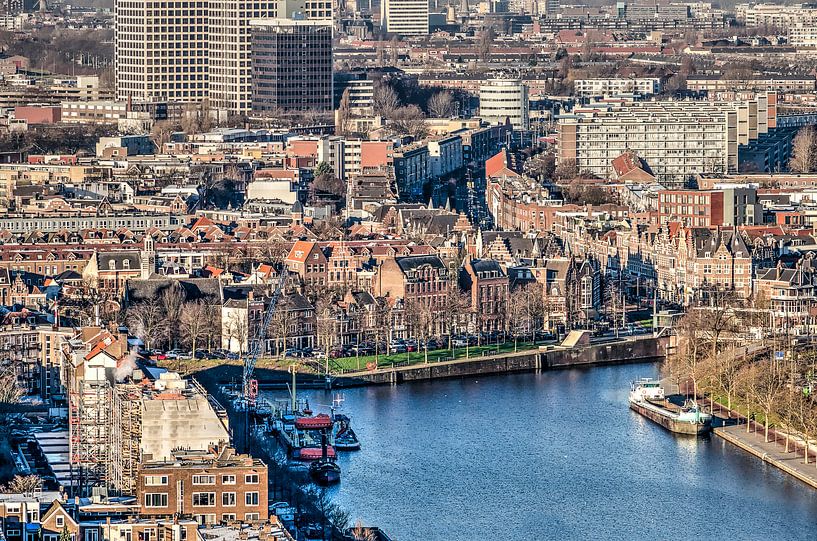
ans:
(554, 455)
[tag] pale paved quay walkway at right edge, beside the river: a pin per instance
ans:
(771, 452)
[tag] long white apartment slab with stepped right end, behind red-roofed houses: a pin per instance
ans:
(677, 139)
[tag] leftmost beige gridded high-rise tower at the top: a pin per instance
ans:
(161, 50)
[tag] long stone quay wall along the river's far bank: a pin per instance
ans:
(633, 350)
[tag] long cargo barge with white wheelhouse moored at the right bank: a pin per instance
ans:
(647, 398)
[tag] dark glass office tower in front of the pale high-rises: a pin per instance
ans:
(291, 65)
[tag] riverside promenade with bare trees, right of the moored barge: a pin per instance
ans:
(774, 451)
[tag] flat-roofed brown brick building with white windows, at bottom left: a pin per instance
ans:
(208, 486)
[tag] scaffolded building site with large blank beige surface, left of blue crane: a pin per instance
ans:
(122, 413)
